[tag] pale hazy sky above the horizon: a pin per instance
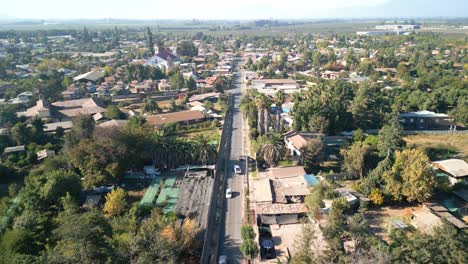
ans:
(233, 9)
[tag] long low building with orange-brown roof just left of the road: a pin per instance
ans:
(182, 118)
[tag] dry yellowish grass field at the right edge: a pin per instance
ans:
(441, 146)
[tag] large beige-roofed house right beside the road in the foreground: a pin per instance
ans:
(279, 195)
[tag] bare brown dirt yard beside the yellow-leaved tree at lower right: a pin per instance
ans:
(378, 218)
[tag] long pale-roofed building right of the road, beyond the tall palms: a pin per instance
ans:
(271, 86)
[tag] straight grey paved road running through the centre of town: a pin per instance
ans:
(231, 233)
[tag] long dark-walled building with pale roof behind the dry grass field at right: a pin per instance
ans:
(425, 120)
